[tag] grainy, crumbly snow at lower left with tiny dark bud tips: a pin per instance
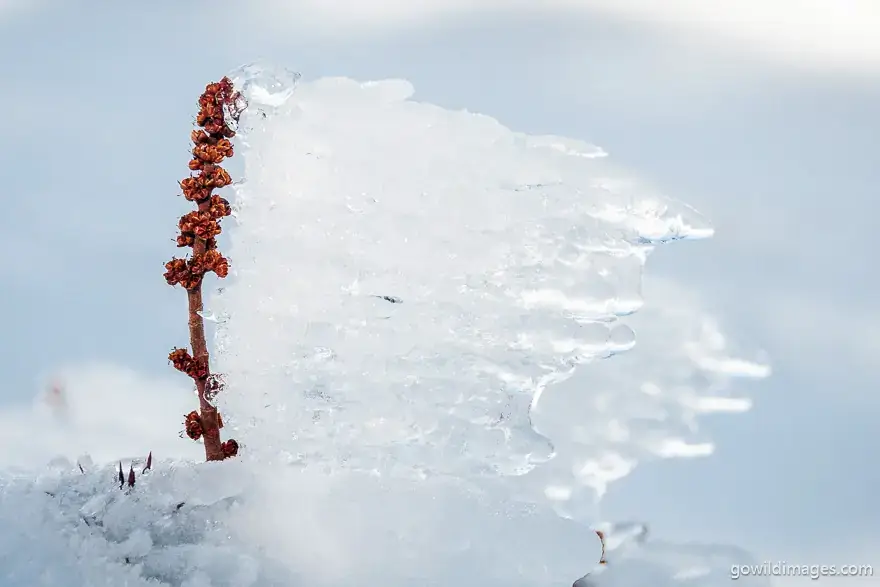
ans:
(72, 528)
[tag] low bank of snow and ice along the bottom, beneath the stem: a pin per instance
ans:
(235, 525)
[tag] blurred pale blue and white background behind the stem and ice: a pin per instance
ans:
(763, 115)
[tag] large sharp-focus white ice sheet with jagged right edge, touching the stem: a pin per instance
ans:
(408, 280)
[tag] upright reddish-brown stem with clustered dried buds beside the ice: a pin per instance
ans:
(219, 108)
